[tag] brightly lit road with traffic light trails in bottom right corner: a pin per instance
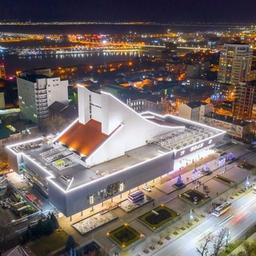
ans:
(237, 220)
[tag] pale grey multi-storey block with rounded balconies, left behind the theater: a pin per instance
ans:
(37, 92)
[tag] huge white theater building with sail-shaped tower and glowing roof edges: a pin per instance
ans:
(108, 150)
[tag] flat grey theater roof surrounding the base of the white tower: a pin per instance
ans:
(80, 174)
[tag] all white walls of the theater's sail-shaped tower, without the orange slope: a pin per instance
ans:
(112, 114)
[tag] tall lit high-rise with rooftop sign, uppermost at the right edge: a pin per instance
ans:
(235, 64)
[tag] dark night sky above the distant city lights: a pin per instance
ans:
(127, 10)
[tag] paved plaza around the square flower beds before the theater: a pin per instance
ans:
(169, 198)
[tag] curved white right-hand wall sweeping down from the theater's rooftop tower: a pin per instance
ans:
(136, 131)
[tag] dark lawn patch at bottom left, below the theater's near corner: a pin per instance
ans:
(48, 244)
